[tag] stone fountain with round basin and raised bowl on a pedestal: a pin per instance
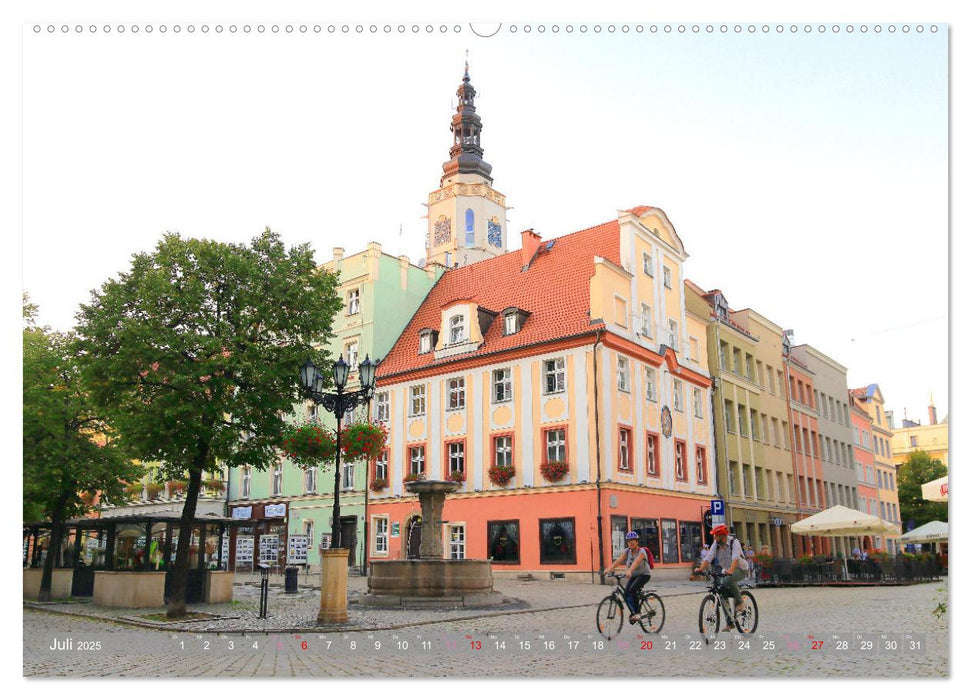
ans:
(431, 580)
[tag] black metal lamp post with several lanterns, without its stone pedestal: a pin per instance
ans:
(338, 404)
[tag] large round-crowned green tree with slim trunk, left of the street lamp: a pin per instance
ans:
(195, 353)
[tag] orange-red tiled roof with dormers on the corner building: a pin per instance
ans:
(555, 290)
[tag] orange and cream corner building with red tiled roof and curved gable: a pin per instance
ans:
(575, 354)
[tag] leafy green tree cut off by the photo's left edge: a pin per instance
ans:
(68, 448)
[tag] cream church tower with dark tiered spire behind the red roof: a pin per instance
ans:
(466, 216)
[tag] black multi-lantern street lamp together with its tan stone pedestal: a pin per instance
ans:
(333, 581)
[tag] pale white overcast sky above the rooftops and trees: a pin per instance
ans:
(805, 174)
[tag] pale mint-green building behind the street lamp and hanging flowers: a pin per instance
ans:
(381, 293)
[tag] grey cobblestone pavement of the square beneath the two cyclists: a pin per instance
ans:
(555, 639)
